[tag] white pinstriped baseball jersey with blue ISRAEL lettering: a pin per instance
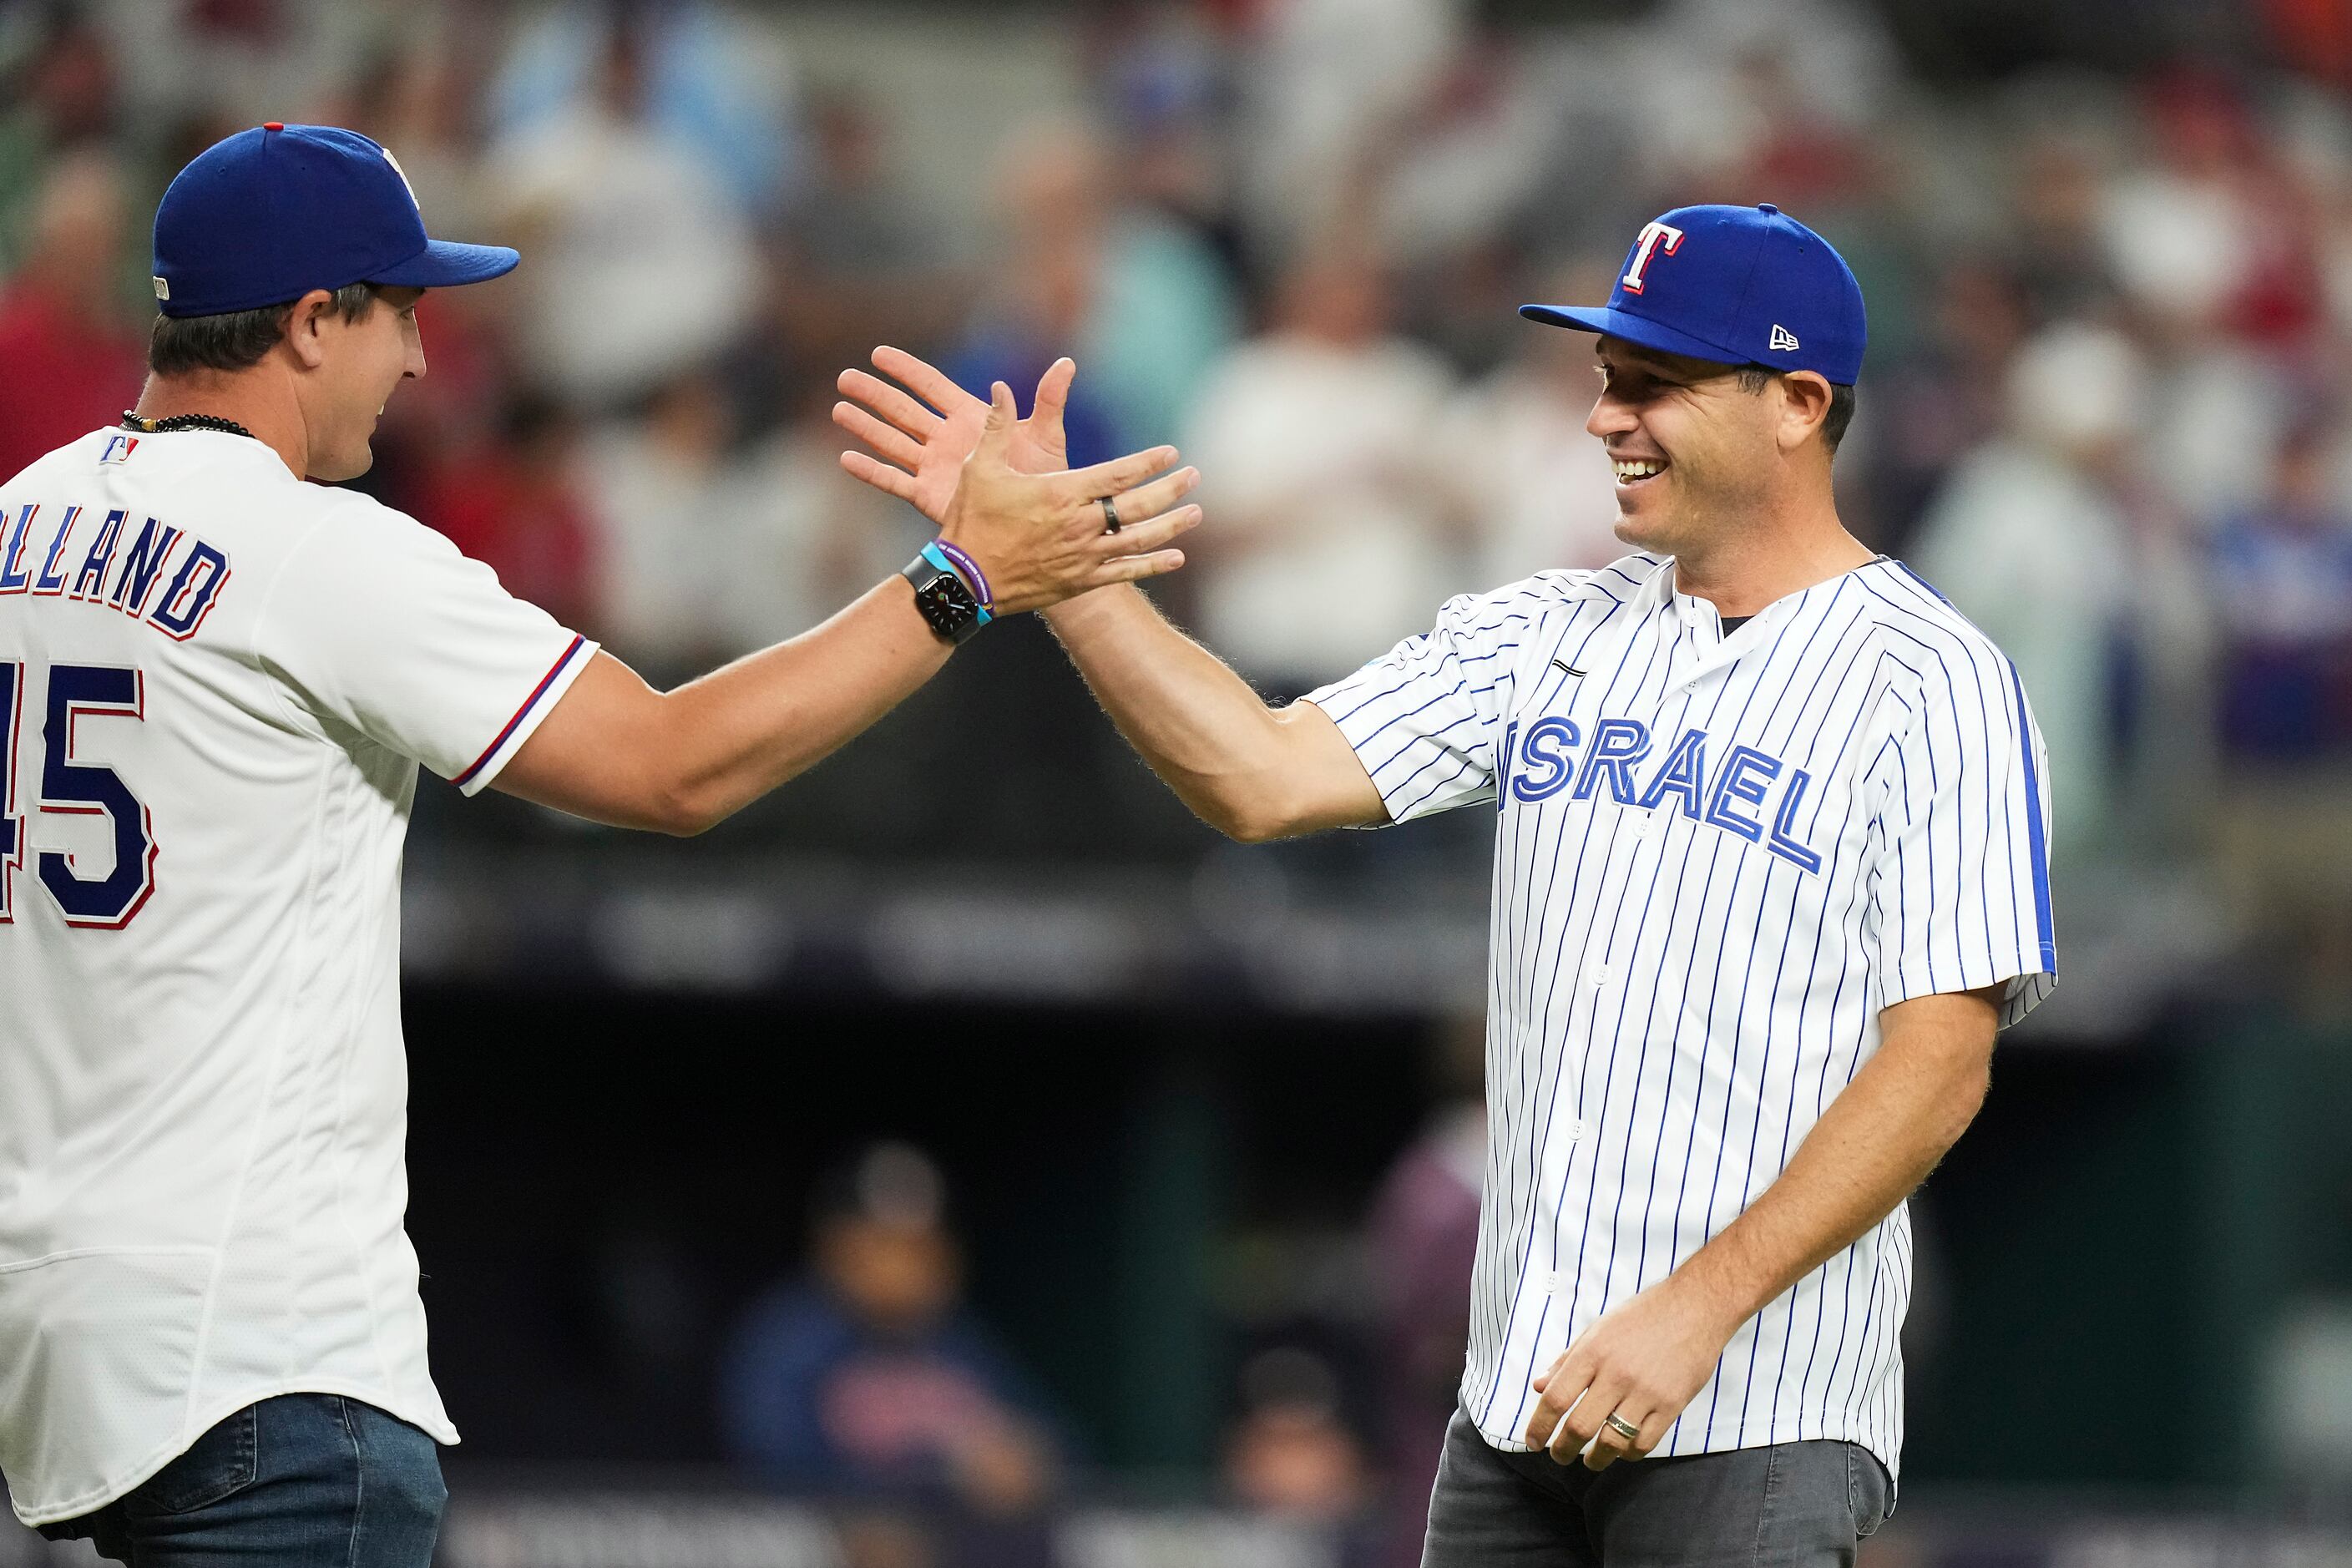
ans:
(1716, 862)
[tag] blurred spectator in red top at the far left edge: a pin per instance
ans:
(69, 351)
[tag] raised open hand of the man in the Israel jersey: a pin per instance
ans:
(928, 436)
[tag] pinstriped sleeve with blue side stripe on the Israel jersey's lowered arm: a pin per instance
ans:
(1960, 887)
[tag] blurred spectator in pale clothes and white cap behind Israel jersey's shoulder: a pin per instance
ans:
(2031, 542)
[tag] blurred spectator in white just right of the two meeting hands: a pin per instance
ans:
(1318, 448)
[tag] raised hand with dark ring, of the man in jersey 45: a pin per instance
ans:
(1041, 537)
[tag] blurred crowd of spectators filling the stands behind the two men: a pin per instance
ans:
(2106, 403)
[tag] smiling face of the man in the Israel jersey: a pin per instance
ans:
(1695, 453)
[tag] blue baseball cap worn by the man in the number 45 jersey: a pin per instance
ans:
(274, 213)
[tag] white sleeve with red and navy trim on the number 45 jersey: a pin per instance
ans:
(382, 626)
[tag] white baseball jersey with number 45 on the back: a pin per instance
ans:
(218, 683)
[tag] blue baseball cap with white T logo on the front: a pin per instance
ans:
(1737, 286)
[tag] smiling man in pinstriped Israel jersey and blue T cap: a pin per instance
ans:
(1770, 876)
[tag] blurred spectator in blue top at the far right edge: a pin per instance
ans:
(2283, 572)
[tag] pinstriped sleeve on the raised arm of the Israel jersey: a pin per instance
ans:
(1424, 716)
